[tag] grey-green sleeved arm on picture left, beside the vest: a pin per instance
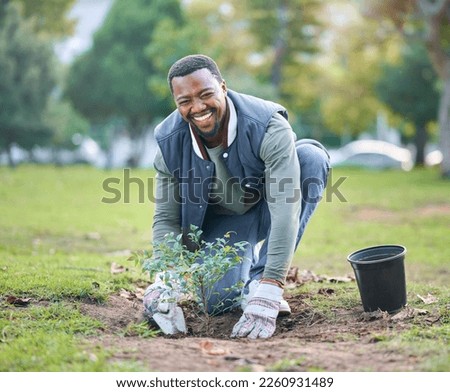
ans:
(167, 201)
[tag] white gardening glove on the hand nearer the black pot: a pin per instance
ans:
(260, 314)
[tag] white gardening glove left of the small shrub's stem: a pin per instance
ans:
(160, 304)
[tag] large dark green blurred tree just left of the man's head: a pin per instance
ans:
(111, 79)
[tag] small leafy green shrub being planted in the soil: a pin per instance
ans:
(194, 273)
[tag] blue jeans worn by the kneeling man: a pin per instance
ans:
(254, 225)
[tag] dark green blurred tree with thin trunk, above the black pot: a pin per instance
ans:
(409, 90)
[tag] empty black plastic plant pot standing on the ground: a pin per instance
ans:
(380, 275)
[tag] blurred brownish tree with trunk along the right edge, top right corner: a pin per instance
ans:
(429, 22)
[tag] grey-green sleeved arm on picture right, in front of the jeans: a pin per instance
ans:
(283, 193)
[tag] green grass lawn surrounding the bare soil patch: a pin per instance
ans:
(58, 240)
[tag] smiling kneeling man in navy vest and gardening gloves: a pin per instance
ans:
(229, 162)
